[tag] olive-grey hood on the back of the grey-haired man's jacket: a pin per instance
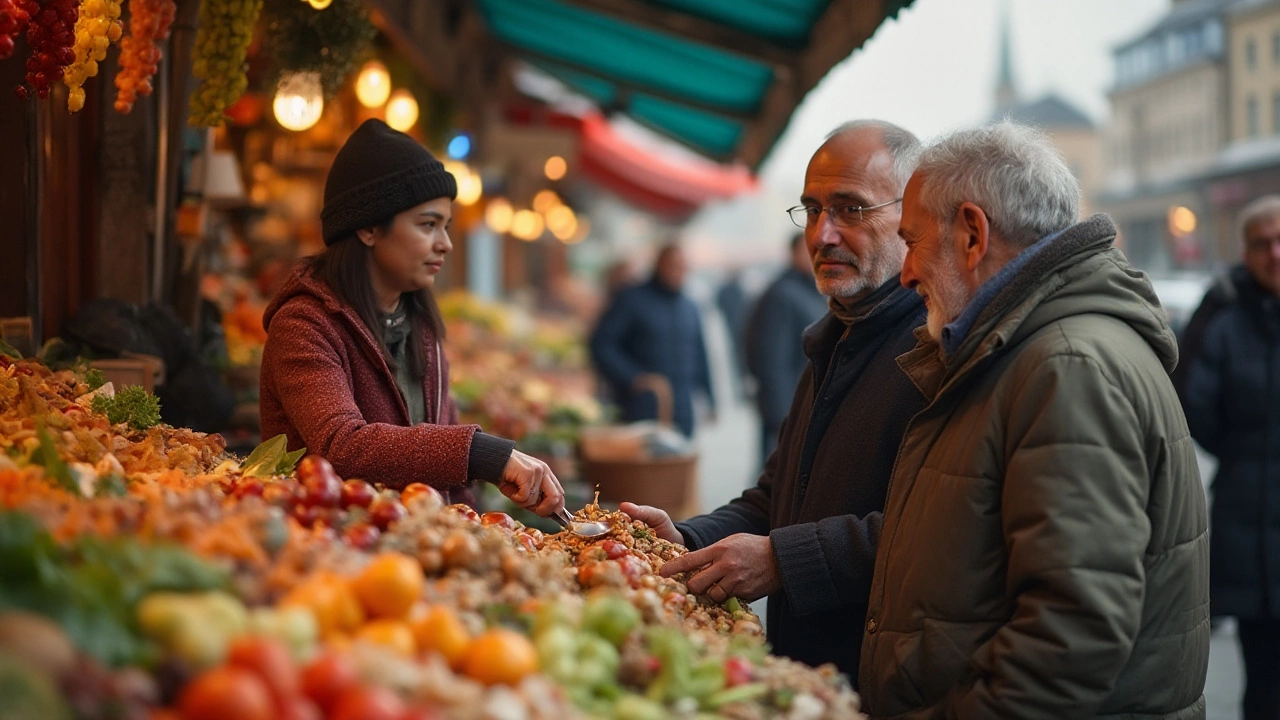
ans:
(1081, 274)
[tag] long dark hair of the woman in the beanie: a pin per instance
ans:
(345, 268)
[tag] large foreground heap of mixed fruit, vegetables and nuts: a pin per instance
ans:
(149, 575)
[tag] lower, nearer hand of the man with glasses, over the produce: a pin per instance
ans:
(740, 566)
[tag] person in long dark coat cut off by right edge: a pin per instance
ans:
(1232, 399)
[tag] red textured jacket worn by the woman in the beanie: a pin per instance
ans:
(327, 386)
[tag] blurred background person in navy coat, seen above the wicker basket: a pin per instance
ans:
(655, 329)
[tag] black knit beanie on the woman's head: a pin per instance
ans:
(380, 174)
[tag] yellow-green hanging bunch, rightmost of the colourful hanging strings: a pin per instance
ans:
(222, 44)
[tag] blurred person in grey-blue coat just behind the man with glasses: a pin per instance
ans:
(775, 354)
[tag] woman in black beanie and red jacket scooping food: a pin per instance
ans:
(354, 368)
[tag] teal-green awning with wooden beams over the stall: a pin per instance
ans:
(720, 76)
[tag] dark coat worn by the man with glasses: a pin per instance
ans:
(822, 493)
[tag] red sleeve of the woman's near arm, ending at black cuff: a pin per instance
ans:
(316, 394)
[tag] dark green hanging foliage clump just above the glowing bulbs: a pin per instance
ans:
(330, 43)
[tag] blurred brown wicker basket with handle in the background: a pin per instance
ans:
(670, 484)
